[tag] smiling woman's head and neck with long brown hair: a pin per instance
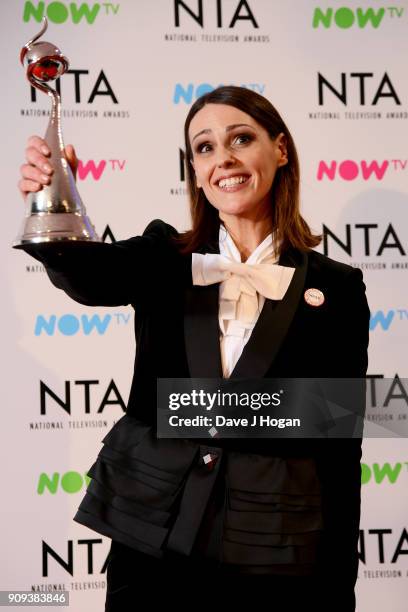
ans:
(241, 160)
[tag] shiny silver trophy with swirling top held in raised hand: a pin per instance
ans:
(56, 213)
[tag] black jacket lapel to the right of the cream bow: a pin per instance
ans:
(273, 323)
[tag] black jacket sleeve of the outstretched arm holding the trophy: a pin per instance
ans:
(111, 274)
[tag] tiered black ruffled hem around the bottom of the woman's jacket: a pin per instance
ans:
(238, 508)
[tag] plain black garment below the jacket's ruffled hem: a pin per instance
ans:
(135, 579)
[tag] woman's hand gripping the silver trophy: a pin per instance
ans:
(38, 170)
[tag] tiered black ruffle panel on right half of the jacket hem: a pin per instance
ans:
(273, 513)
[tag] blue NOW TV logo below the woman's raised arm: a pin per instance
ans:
(71, 325)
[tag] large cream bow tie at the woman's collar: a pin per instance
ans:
(241, 281)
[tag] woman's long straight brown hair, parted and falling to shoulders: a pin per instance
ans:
(291, 230)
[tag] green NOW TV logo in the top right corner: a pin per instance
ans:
(345, 17)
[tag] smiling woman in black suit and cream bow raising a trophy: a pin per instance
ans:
(286, 511)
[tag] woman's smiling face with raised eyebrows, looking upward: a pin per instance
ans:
(234, 159)
